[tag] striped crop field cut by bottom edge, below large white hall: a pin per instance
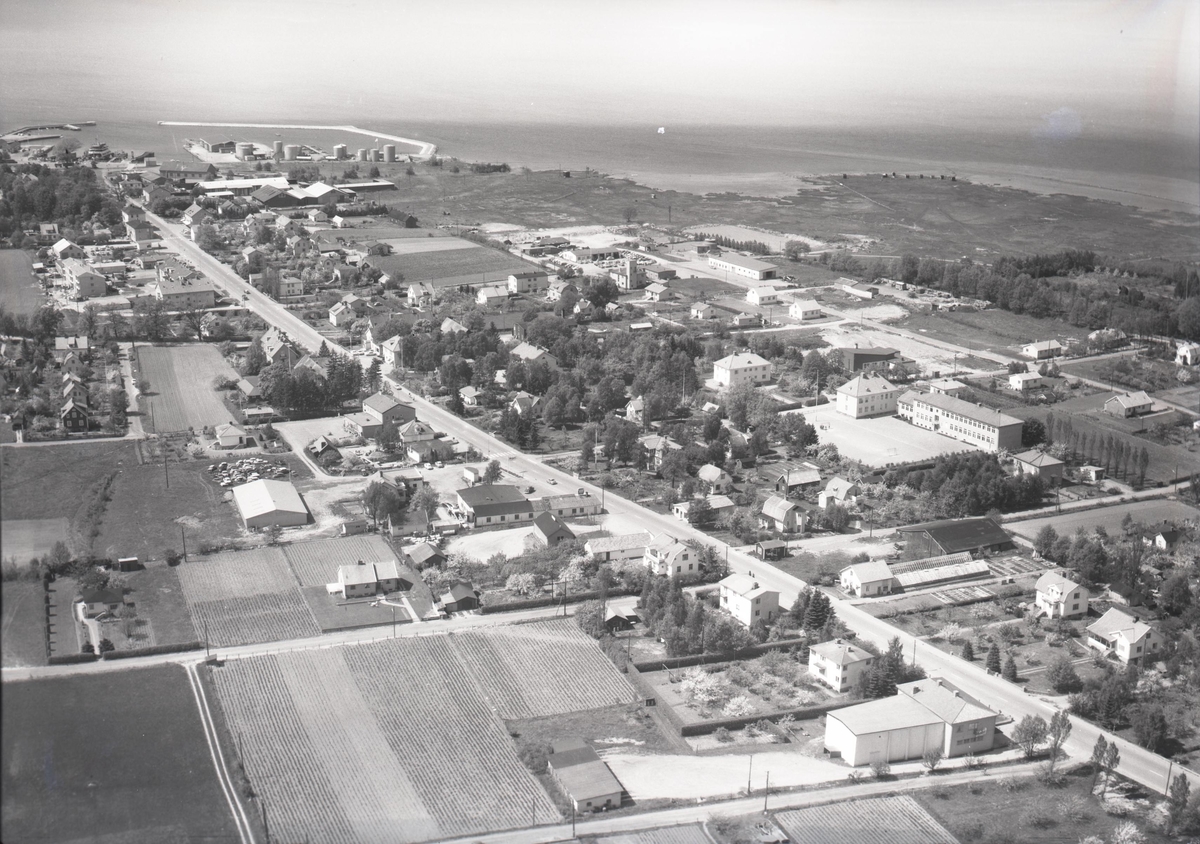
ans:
(883, 821)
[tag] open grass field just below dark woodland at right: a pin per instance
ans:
(994, 330)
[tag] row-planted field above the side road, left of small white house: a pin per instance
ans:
(245, 597)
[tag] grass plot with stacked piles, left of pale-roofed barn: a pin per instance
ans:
(152, 511)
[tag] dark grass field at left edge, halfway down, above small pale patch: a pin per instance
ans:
(67, 481)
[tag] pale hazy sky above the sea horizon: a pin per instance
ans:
(1129, 65)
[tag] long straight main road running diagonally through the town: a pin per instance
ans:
(1138, 764)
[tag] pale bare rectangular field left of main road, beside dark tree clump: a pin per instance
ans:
(182, 387)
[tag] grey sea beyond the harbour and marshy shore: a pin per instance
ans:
(1125, 166)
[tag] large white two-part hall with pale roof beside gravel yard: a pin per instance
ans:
(926, 715)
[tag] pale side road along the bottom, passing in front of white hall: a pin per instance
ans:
(733, 809)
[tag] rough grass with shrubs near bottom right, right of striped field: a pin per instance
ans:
(1005, 810)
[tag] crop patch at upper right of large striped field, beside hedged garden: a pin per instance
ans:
(520, 669)
